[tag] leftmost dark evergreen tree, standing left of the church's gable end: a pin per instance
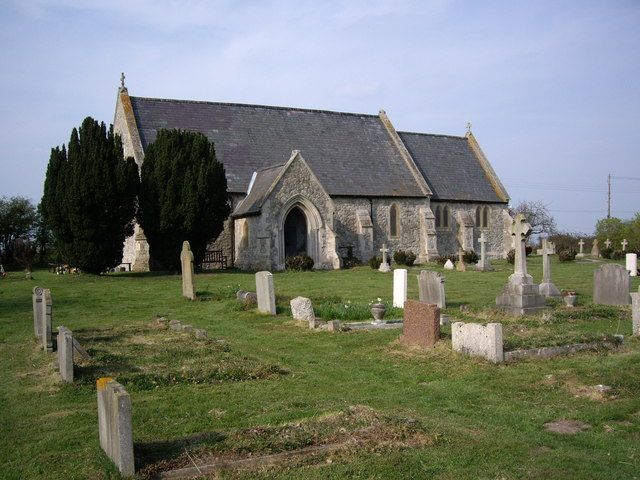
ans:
(89, 200)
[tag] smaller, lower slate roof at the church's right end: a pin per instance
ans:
(450, 167)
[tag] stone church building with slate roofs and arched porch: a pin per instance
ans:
(330, 184)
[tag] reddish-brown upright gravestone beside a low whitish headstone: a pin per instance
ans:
(421, 325)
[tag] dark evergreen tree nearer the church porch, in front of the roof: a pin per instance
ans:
(183, 196)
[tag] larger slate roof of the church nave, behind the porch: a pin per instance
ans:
(351, 154)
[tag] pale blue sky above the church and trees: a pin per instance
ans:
(552, 89)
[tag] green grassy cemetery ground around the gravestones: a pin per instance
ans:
(264, 384)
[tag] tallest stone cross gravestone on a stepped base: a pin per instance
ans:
(520, 296)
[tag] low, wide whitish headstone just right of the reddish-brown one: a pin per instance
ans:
(478, 340)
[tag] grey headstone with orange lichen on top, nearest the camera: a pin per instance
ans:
(114, 424)
